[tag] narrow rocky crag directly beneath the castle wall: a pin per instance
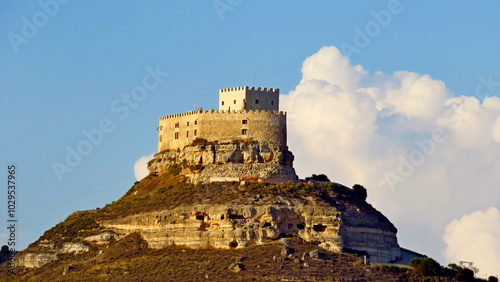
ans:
(235, 161)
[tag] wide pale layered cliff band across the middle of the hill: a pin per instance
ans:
(238, 226)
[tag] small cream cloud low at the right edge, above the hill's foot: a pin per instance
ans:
(475, 237)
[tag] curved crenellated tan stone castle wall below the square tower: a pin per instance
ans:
(179, 130)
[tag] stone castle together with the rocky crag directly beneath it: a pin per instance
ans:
(245, 139)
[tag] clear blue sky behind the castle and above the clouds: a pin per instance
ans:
(64, 78)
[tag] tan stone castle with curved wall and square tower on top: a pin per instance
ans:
(245, 113)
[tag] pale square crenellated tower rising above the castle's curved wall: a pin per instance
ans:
(249, 98)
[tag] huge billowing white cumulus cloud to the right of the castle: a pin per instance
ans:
(425, 154)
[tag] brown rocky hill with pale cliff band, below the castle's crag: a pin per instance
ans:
(166, 229)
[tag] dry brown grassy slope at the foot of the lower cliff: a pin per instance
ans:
(130, 260)
